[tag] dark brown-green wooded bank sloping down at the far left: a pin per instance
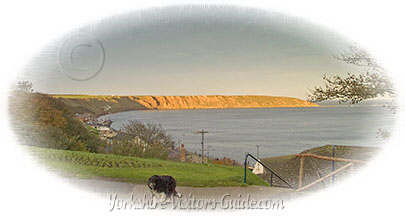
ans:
(43, 121)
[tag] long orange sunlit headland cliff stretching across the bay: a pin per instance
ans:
(100, 105)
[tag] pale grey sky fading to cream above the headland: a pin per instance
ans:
(190, 51)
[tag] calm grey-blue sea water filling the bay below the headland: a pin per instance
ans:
(278, 131)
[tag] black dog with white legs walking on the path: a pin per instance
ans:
(164, 186)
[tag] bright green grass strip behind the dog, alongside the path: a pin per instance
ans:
(138, 170)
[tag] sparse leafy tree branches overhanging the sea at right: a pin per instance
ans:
(355, 88)
